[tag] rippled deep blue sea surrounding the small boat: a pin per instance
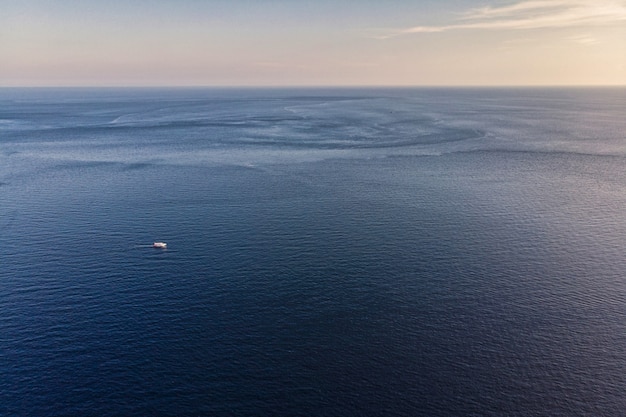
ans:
(353, 252)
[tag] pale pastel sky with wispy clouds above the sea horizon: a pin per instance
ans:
(312, 43)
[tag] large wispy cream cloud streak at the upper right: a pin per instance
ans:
(532, 14)
